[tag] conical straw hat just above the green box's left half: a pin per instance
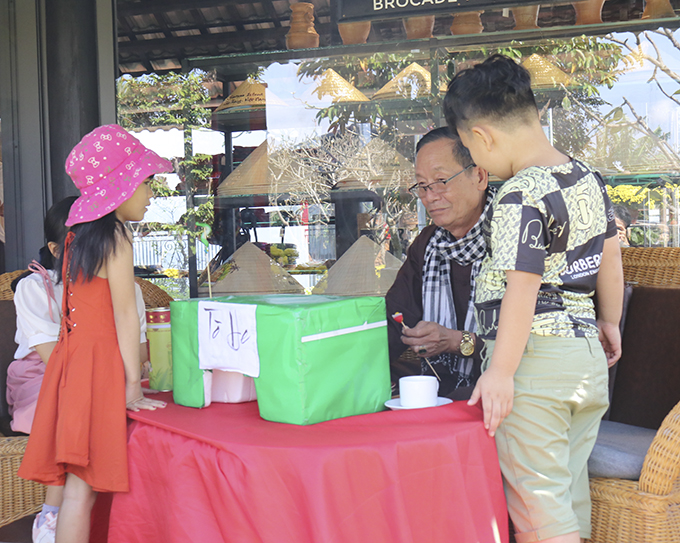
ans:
(250, 271)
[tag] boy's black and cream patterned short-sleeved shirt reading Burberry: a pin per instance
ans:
(551, 222)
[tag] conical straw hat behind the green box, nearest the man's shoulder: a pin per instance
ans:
(366, 269)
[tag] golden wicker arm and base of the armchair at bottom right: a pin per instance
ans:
(648, 510)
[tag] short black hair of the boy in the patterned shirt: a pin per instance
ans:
(496, 89)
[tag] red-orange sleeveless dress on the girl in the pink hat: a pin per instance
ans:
(80, 421)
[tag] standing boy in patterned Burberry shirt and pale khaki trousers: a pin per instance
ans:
(552, 243)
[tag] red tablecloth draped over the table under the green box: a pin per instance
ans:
(224, 474)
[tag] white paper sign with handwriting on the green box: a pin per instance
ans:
(227, 337)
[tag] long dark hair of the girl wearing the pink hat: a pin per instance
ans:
(93, 244)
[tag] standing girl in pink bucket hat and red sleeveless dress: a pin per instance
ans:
(78, 438)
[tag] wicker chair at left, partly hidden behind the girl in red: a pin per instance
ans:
(18, 497)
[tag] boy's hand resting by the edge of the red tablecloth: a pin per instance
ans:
(496, 389)
